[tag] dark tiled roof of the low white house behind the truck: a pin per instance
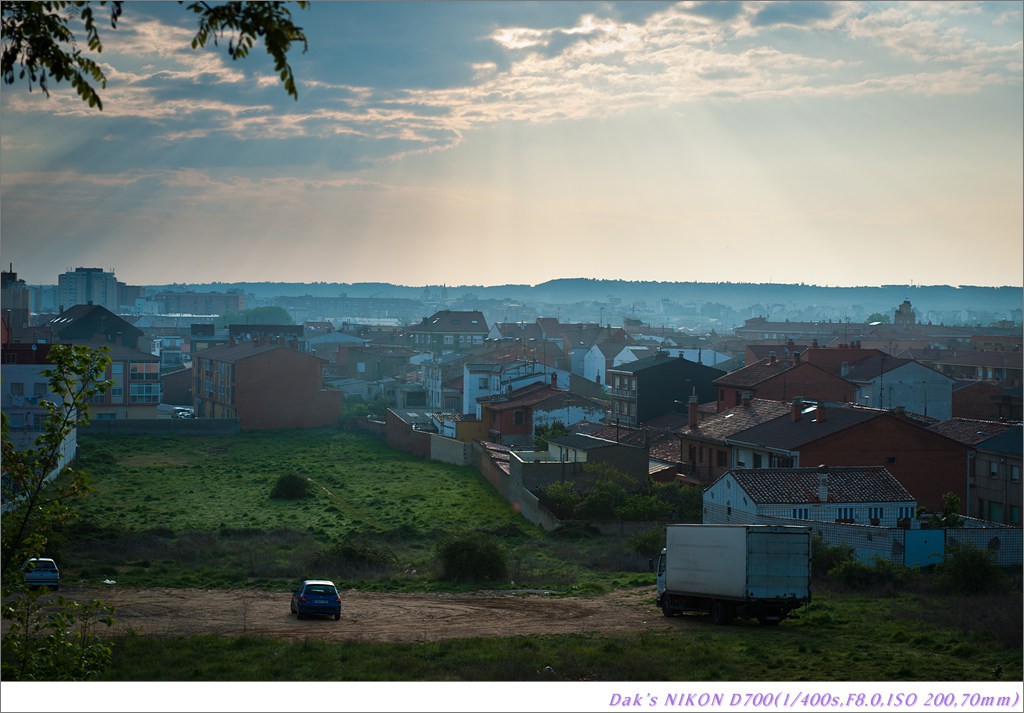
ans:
(846, 485)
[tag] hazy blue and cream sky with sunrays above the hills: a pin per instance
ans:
(434, 143)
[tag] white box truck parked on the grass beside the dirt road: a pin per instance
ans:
(748, 571)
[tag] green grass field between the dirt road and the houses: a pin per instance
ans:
(198, 512)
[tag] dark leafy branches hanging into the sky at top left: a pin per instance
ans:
(38, 39)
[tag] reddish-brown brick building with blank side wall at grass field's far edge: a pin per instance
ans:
(266, 387)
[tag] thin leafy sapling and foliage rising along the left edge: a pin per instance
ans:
(46, 640)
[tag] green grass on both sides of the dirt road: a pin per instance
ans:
(198, 513)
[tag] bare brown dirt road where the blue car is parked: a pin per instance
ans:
(375, 617)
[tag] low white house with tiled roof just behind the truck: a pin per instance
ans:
(865, 495)
